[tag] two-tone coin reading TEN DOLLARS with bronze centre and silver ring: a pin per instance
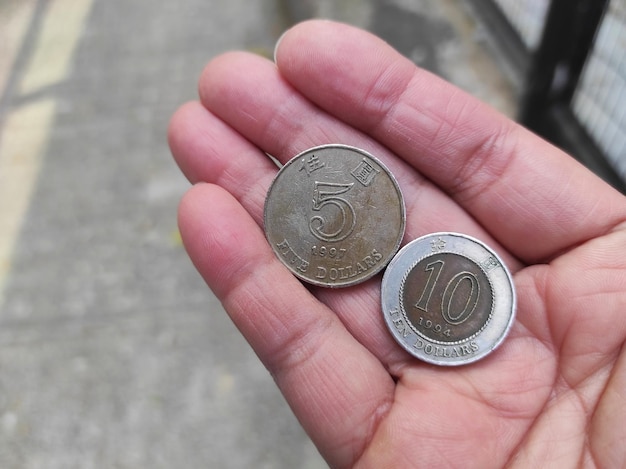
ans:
(448, 299)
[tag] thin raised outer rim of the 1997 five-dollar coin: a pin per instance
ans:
(386, 258)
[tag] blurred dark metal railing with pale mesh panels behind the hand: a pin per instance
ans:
(570, 56)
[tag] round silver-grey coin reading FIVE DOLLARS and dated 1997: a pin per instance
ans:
(334, 215)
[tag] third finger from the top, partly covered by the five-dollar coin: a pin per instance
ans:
(209, 150)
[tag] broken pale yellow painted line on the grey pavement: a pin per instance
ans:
(26, 129)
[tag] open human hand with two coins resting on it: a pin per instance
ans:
(554, 393)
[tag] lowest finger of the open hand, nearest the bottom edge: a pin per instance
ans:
(338, 390)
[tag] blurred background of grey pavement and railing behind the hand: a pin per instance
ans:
(113, 353)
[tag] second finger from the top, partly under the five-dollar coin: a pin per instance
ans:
(247, 93)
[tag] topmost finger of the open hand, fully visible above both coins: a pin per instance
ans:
(533, 198)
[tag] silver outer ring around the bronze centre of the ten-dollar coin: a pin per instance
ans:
(490, 337)
